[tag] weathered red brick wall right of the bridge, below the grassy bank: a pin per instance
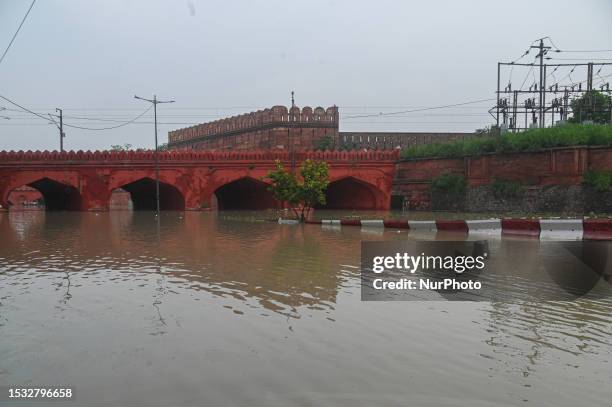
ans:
(560, 166)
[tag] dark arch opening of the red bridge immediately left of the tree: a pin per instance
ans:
(245, 193)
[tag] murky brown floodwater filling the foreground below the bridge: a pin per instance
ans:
(228, 309)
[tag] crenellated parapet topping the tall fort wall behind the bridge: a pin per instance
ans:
(277, 116)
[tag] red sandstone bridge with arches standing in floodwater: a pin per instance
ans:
(189, 180)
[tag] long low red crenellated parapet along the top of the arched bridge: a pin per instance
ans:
(120, 157)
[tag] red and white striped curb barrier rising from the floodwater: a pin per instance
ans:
(567, 229)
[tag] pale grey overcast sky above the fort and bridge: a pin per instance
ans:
(220, 58)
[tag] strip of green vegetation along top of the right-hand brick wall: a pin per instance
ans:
(530, 140)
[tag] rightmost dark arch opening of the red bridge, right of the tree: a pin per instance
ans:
(352, 193)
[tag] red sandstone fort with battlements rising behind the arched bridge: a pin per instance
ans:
(279, 128)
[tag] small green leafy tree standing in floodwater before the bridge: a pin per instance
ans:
(304, 192)
